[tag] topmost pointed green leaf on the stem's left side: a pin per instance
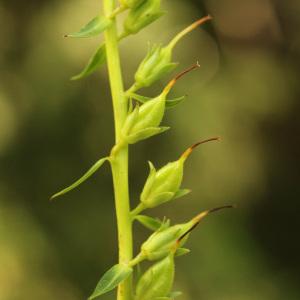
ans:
(92, 28)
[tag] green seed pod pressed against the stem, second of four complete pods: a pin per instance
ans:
(144, 121)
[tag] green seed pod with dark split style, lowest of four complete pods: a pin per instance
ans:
(168, 239)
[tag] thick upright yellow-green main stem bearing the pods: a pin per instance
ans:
(119, 160)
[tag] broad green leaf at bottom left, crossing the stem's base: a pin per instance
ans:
(111, 279)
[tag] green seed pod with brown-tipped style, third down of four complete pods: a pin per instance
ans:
(163, 185)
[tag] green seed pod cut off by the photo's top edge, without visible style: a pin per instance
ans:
(141, 16)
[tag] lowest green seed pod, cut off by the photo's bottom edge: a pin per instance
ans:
(157, 281)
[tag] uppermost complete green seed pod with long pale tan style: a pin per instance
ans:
(158, 61)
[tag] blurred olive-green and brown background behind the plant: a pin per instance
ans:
(51, 130)
